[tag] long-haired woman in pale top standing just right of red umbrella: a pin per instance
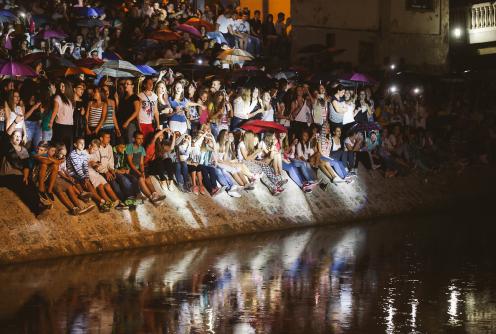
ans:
(301, 110)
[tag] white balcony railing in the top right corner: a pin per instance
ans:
(482, 23)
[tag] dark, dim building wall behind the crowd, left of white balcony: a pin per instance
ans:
(375, 32)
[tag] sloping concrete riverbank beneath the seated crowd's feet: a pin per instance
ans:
(186, 217)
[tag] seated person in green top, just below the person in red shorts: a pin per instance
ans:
(135, 153)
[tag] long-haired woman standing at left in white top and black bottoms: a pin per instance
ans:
(62, 120)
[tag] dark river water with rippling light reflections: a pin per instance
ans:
(433, 274)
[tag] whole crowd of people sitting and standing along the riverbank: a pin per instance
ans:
(112, 143)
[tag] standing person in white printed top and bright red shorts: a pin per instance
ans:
(148, 109)
